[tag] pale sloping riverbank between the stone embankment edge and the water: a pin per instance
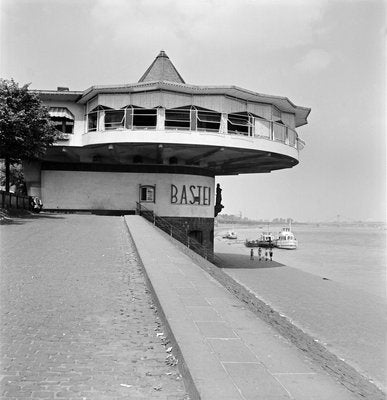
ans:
(351, 323)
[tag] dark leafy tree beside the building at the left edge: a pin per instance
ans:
(26, 130)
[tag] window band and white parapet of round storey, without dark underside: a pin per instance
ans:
(128, 123)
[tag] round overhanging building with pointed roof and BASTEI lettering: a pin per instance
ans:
(160, 142)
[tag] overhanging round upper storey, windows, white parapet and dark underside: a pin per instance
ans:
(219, 142)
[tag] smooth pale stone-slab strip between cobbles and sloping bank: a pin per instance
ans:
(229, 352)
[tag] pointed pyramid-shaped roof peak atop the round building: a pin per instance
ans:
(162, 69)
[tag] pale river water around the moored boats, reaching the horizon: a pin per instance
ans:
(352, 255)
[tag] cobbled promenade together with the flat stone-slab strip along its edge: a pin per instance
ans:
(78, 321)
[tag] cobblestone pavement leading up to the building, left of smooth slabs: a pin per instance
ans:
(77, 320)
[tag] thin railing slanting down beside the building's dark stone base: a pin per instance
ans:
(175, 232)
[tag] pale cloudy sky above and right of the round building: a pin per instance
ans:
(326, 55)
